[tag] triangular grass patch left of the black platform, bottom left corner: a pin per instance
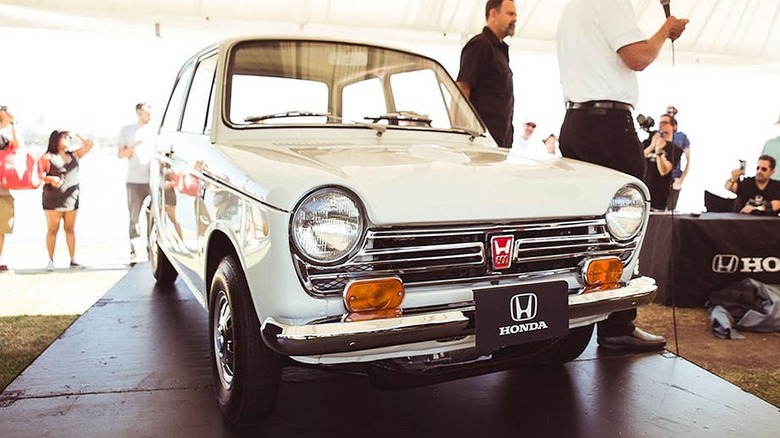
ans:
(23, 338)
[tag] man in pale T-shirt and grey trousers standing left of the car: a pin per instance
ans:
(136, 144)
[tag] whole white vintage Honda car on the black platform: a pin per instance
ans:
(341, 204)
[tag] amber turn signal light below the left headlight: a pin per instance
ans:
(375, 295)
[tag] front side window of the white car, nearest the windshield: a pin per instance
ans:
(196, 108)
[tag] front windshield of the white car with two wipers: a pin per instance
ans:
(272, 83)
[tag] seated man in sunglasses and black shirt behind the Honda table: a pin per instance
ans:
(759, 194)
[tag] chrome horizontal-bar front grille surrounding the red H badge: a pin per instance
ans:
(423, 256)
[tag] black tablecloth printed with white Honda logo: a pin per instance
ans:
(692, 256)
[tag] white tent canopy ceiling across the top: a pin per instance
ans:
(733, 31)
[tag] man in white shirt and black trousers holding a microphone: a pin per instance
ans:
(600, 49)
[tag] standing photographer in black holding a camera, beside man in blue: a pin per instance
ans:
(661, 156)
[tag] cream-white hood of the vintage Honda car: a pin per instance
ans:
(428, 183)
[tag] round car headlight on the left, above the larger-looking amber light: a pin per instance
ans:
(327, 225)
